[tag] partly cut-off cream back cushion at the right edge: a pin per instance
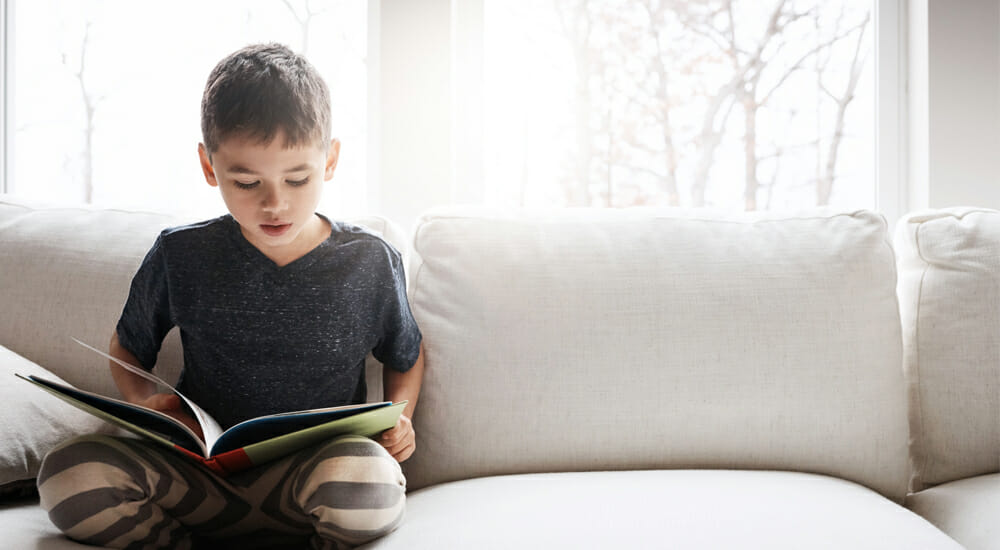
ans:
(949, 293)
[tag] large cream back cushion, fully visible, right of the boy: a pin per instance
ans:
(609, 340)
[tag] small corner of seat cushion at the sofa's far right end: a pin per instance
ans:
(968, 510)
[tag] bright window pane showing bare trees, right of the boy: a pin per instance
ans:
(730, 104)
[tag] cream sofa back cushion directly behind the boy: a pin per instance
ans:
(65, 273)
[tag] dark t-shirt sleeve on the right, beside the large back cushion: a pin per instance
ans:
(399, 345)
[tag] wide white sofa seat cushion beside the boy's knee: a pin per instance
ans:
(660, 508)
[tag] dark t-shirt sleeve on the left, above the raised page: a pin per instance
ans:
(146, 318)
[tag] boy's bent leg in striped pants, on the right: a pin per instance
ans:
(350, 489)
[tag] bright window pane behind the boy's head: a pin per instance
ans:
(107, 94)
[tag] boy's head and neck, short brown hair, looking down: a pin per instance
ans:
(265, 118)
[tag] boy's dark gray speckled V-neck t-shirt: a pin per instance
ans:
(261, 339)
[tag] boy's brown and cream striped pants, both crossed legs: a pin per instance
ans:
(123, 492)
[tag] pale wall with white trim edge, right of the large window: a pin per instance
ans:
(954, 119)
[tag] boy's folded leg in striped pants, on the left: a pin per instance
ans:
(121, 492)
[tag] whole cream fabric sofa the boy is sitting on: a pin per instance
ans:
(616, 379)
